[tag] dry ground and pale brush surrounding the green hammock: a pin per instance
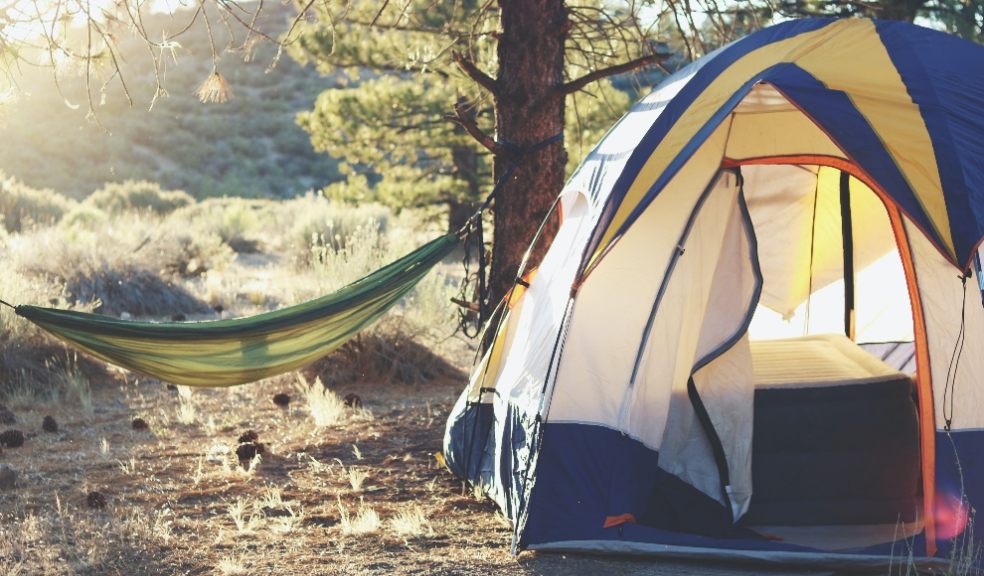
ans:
(337, 490)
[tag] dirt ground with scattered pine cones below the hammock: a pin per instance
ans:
(361, 496)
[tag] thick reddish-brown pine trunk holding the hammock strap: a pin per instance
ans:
(529, 109)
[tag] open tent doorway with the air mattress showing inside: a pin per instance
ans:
(835, 455)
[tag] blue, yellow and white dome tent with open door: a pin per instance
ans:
(820, 176)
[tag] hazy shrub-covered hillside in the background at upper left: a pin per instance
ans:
(249, 146)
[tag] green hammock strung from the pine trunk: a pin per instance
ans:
(230, 352)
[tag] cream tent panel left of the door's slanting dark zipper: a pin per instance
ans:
(613, 304)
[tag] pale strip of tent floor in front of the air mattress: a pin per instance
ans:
(842, 538)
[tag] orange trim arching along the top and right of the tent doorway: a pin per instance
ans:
(924, 378)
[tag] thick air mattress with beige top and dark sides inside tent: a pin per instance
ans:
(835, 438)
